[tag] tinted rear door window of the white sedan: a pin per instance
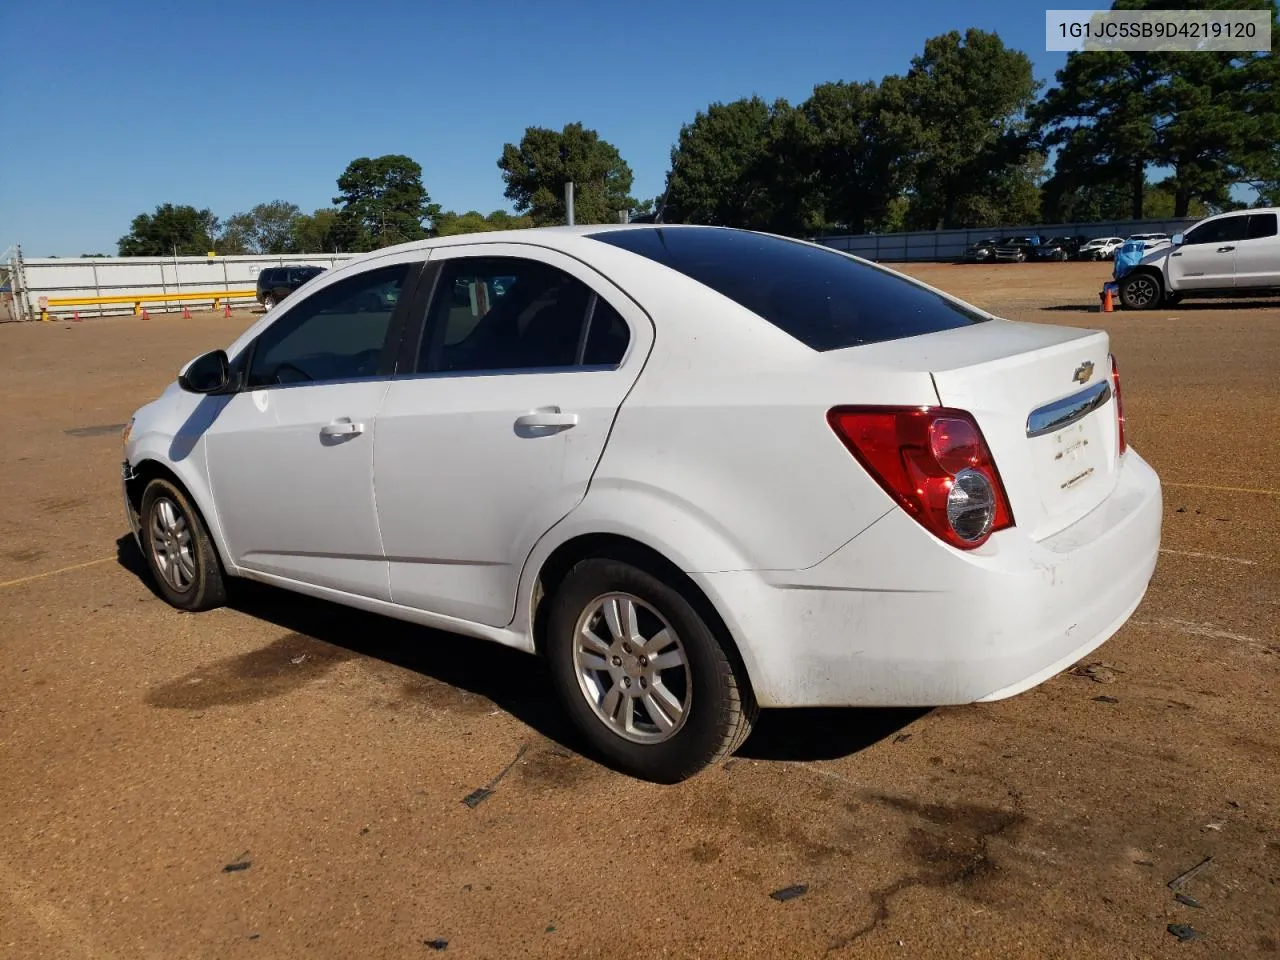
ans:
(493, 314)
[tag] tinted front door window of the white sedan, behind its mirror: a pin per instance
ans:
(337, 333)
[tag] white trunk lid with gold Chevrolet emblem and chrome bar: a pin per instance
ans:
(1043, 397)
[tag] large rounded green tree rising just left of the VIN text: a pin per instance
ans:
(962, 111)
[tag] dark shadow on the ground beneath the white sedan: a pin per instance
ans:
(516, 683)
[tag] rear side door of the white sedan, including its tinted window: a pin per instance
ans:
(493, 433)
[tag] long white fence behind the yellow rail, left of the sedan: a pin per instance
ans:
(54, 278)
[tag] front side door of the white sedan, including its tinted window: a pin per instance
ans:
(291, 456)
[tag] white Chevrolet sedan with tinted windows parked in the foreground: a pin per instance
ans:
(700, 470)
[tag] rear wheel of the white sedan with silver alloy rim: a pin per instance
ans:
(642, 674)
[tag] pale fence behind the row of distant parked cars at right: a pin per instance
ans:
(950, 245)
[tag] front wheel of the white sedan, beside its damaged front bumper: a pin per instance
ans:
(179, 550)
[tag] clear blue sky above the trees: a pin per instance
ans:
(115, 108)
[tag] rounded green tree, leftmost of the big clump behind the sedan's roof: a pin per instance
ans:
(724, 164)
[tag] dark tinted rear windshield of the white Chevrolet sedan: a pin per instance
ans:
(824, 299)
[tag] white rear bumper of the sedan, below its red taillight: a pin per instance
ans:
(898, 619)
